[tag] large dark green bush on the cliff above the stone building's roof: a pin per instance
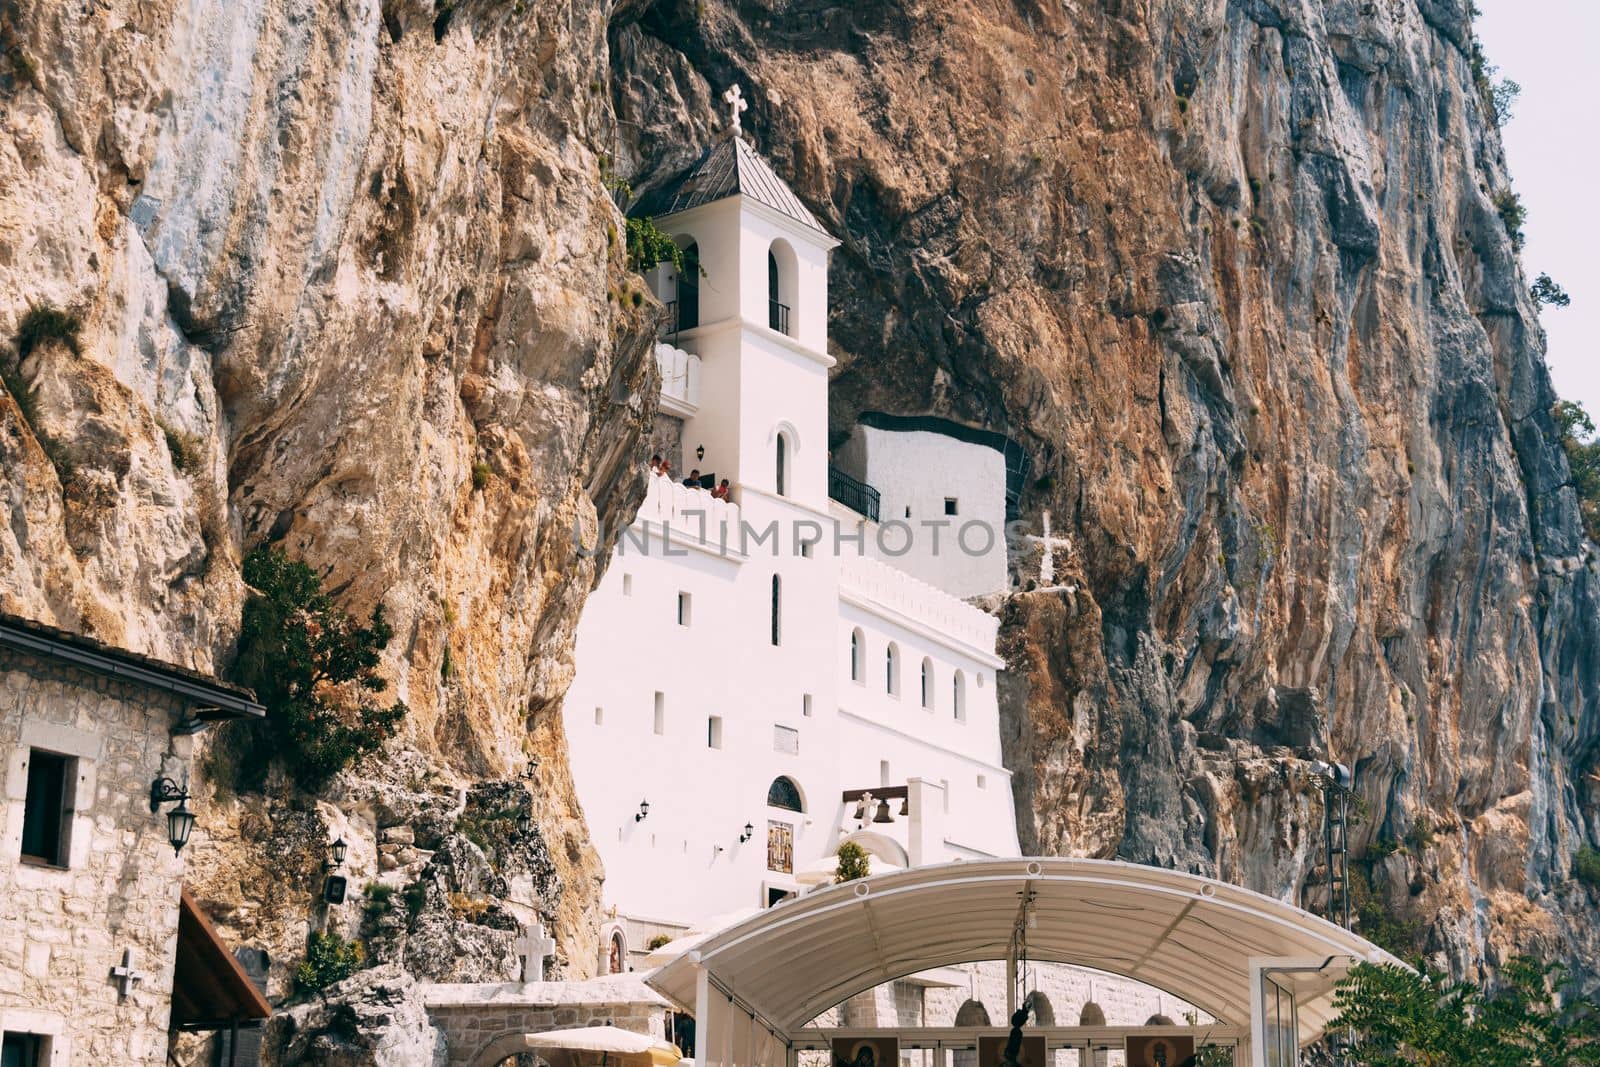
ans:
(314, 669)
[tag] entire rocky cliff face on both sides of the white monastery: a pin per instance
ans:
(1233, 273)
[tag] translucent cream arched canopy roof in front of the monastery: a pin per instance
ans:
(1190, 937)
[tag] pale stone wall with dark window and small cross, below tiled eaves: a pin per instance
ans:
(63, 930)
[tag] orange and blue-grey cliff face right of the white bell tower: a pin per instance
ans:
(1238, 279)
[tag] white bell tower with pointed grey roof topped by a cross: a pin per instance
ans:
(756, 316)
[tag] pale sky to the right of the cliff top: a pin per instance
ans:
(1551, 47)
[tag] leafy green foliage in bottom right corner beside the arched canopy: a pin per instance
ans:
(1402, 1017)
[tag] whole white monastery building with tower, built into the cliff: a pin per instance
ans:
(786, 652)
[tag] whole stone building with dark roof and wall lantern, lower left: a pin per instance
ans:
(92, 924)
